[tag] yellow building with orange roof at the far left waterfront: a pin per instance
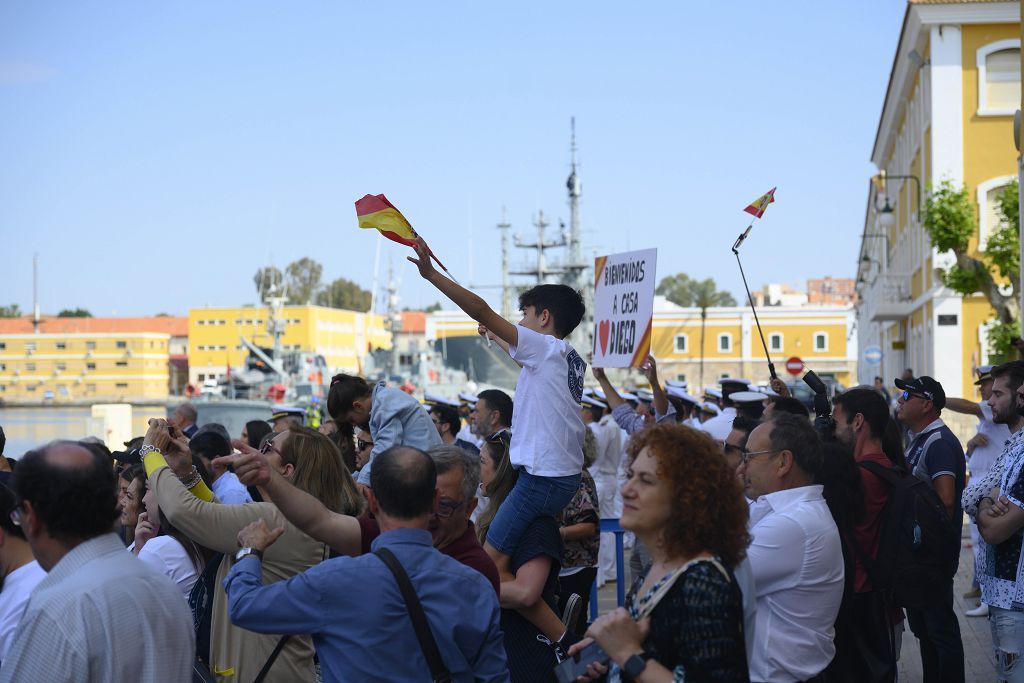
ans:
(123, 360)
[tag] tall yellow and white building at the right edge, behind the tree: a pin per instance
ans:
(948, 114)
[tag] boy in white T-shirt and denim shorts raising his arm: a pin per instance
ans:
(547, 429)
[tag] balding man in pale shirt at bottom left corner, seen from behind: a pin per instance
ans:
(100, 615)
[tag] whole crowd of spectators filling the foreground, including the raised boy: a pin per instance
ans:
(460, 540)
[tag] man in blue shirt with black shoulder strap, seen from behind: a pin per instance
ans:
(353, 607)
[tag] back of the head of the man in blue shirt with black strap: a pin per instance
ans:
(404, 481)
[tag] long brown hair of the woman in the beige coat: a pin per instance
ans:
(320, 473)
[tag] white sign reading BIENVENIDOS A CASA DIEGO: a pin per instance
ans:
(624, 308)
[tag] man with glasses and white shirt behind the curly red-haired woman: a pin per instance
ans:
(795, 552)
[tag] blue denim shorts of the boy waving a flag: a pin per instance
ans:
(532, 497)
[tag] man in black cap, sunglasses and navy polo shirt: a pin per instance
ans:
(936, 456)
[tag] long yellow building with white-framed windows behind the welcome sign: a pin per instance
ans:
(824, 337)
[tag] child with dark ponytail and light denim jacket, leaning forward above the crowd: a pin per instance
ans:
(392, 416)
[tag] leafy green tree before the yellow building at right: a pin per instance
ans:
(951, 223)
